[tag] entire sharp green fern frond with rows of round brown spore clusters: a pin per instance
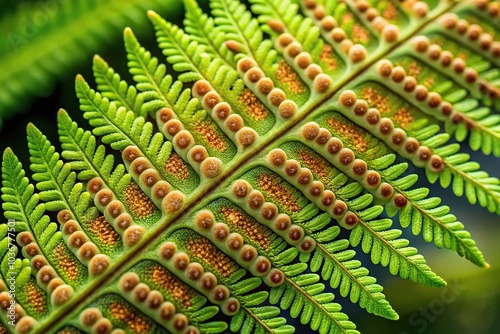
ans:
(256, 161)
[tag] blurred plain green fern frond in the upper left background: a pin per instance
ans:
(36, 28)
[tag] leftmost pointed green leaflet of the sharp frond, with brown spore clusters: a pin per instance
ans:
(42, 245)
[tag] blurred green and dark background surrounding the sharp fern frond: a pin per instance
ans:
(470, 303)
